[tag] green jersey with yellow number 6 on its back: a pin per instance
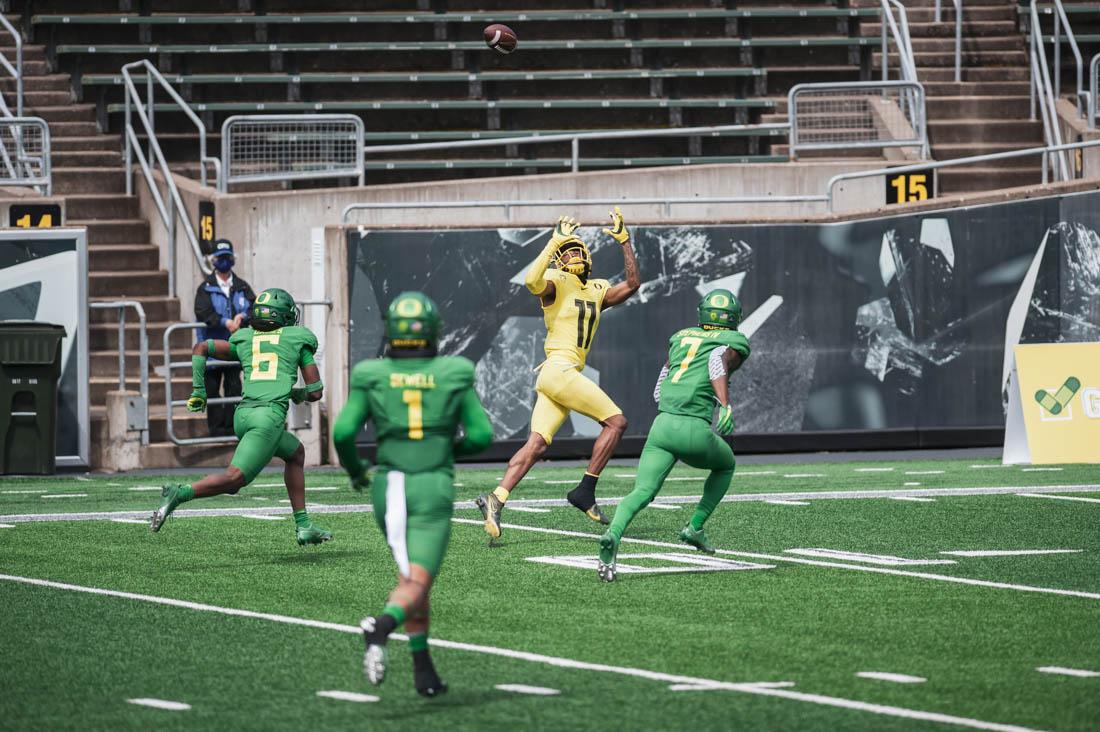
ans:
(271, 362)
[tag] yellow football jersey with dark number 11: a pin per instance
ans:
(574, 316)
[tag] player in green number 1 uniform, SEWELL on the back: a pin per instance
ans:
(417, 401)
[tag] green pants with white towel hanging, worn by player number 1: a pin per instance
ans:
(414, 511)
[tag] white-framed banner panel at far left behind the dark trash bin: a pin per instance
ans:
(45, 277)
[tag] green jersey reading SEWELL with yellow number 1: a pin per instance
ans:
(416, 406)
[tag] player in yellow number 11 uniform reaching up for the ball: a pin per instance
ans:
(573, 303)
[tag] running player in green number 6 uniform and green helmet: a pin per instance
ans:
(271, 354)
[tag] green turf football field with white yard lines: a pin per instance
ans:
(225, 614)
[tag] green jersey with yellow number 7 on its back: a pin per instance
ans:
(688, 390)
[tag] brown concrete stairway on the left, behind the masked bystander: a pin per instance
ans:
(123, 261)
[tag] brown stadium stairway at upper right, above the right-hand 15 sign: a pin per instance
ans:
(988, 111)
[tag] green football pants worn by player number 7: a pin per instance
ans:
(676, 438)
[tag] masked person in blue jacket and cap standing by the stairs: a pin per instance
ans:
(224, 303)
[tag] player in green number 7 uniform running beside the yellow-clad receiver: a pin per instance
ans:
(695, 378)
